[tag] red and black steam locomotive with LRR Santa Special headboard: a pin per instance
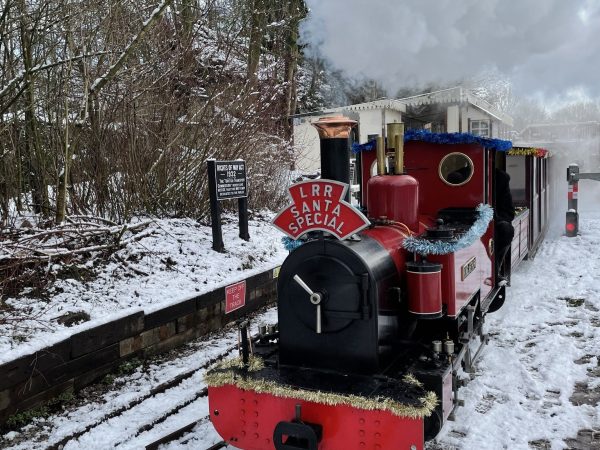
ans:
(380, 309)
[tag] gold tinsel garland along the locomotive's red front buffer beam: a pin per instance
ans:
(223, 375)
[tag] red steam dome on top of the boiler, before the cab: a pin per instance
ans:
(395, 197)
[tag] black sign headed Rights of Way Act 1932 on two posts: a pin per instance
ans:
(226, 181)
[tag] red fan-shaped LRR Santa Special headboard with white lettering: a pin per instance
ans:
(318, 205)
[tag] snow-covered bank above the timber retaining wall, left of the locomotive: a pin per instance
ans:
(179, 262)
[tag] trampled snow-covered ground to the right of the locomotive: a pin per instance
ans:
(537, 377)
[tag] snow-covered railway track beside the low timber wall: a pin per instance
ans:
(164, 405)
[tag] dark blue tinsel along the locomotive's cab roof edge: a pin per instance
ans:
(443, 138)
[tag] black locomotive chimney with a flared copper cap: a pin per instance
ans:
(334, 133)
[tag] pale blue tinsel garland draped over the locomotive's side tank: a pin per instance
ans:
(427, 247)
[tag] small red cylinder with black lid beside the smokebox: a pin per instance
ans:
(424, 285)
